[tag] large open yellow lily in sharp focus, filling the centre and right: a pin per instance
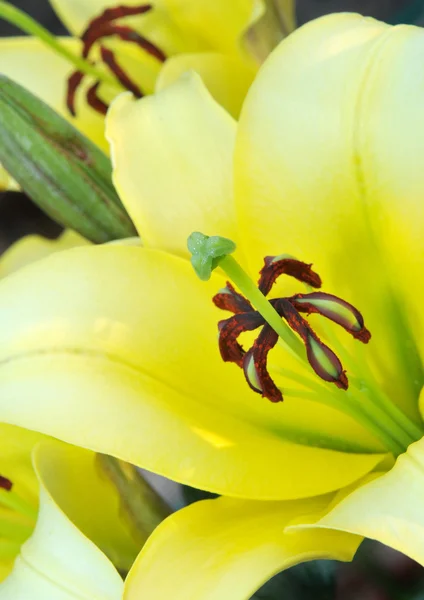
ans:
(322, 165)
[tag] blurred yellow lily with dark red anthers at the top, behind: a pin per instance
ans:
(140, 47)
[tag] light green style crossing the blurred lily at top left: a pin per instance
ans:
(20, 19)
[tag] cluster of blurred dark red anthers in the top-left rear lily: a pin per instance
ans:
(105, 26)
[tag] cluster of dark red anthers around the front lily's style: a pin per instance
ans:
(322, 359)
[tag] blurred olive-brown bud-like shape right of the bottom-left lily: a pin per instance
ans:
(144, 507)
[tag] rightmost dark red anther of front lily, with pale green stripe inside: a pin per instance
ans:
(337, 310)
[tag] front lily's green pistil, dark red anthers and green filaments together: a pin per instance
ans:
(282, 318)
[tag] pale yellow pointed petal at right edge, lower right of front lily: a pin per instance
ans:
(389, 508)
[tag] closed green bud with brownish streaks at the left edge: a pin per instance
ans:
(63, 172)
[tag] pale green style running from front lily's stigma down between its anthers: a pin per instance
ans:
(242, 280)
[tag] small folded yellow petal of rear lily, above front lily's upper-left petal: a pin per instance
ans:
(226, 78)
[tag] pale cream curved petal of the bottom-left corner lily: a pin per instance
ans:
(58, 562)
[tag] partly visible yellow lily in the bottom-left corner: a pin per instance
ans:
(79, 529)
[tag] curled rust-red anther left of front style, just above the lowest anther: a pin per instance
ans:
(230, 330)
